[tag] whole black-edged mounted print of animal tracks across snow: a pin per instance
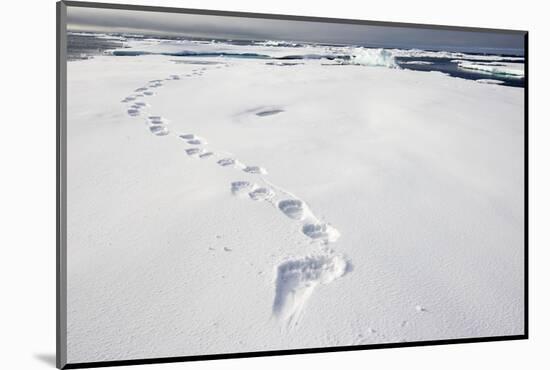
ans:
(239, 184)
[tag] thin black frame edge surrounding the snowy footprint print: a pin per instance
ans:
(61, 198)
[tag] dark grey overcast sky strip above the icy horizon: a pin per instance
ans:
(115, 20)
